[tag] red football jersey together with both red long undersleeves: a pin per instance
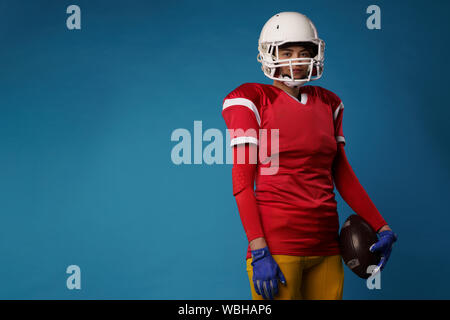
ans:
(294, 209)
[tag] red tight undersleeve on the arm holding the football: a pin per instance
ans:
(352, 191)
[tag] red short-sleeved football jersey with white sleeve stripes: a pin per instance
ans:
(297, 204)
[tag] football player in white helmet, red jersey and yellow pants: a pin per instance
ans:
(290, 218)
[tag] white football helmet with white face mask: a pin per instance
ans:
(287, 27)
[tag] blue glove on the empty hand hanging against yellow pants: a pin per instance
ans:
(266, 273)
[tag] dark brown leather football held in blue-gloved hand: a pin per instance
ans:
(355, 238)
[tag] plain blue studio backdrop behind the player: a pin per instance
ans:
(86, 176)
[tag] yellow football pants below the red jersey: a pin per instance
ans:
(309, 278)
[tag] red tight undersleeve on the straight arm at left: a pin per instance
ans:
(243, 190)
